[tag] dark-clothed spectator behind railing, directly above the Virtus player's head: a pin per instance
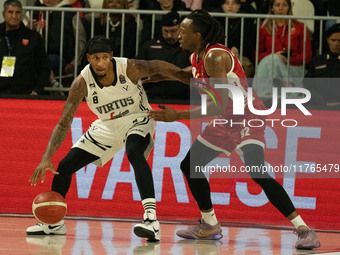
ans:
(115, 28)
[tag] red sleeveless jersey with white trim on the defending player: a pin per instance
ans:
(236, 73)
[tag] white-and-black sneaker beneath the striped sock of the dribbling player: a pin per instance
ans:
(149, 229)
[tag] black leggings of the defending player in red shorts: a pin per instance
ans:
(253, 155)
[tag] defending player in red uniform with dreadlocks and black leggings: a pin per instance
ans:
(202, 34)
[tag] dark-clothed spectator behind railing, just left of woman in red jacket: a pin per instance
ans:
(234, 34)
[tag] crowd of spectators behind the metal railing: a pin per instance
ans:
(284, 52)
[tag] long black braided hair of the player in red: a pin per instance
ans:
(211, 30)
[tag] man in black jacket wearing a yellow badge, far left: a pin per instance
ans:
(24, 66)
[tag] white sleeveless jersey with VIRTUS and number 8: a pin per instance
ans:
(121, 99)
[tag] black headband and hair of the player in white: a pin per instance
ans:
(96, 44)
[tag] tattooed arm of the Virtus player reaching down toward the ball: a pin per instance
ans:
(77, 92)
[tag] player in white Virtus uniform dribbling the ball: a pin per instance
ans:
(113, 91)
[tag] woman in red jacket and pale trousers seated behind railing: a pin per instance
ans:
(275, 65)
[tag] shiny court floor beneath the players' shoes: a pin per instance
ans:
(87, 237)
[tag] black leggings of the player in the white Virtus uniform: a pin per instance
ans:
(78, 158)
